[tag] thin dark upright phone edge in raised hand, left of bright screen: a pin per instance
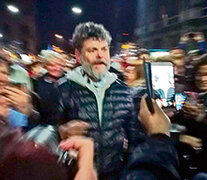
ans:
(148, 80)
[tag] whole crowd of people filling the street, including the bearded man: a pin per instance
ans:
(89, 120)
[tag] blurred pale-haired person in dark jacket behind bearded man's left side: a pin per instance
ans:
(47, 102)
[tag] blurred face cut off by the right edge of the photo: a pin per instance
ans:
(201, 78)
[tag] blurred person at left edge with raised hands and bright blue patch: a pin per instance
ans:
(15, 98)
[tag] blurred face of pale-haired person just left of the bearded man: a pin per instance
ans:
(54, 67)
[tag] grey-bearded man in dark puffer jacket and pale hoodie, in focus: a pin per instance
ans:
(97, 97)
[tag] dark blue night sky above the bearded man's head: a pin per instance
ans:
(55, 16)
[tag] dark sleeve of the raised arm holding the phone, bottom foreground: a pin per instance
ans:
(155, 158)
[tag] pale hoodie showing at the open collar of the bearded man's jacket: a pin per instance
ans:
(98, 88)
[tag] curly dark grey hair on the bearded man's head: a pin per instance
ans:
(89, 30)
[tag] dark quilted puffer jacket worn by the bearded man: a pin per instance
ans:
(119, 122)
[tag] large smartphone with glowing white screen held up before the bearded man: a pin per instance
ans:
(163, 81)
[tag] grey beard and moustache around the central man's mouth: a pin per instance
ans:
(88, 68)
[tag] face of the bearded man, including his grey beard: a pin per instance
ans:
(94, 58)
